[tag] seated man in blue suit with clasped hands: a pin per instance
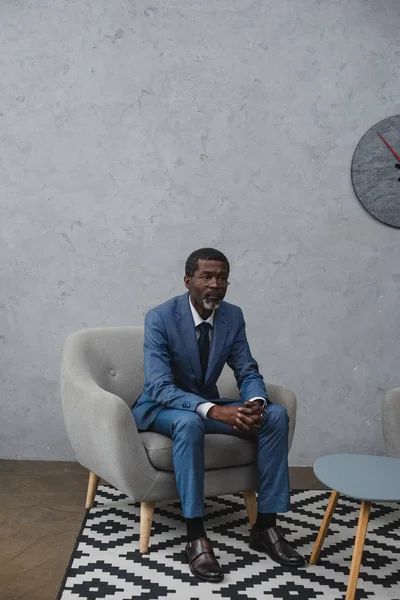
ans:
(188, 339)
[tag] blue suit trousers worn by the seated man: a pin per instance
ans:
(186, 429)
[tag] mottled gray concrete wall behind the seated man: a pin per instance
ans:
(133, 132)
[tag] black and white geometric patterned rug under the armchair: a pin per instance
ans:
(106, 563)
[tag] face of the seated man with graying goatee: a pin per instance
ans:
(207, 287)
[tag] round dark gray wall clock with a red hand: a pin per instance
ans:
(375, 171)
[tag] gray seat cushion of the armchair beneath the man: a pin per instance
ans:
(220, 451)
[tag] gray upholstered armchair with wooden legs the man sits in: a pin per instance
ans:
(101, 378)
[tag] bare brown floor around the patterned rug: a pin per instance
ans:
(41, 510)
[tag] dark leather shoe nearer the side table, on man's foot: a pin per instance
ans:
(272, 542)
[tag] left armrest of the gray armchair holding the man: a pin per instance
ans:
(102, 431)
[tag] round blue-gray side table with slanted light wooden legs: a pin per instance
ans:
(362, 477)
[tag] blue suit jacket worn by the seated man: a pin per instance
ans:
(172, 362)
